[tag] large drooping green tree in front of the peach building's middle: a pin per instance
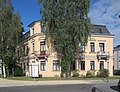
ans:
(68, 25)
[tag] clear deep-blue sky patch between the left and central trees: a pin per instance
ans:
(29, 11)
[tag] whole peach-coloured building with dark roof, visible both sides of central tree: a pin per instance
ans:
(98, 53)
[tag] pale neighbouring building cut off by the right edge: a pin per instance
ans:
(117, 57)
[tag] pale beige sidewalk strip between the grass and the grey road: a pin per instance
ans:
(10, 83)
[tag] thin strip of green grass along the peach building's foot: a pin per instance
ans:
(58, 78)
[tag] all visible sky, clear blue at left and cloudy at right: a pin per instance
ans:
(105, 12)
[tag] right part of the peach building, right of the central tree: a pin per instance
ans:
(98, 53)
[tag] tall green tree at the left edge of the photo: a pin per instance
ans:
(10, 33)
